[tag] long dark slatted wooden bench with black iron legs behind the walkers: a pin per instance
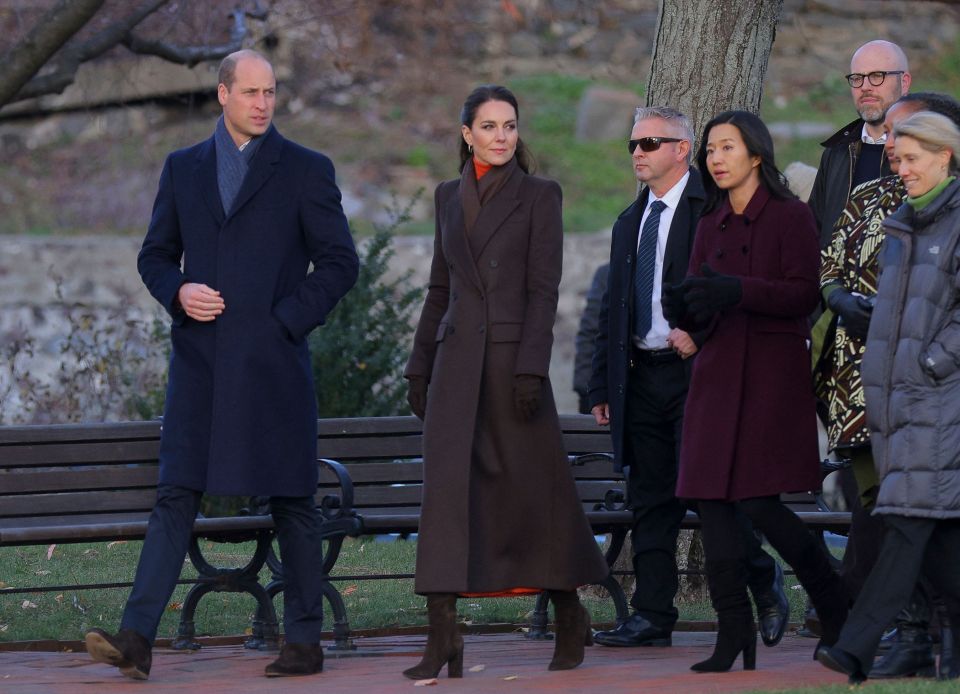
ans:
(97, 482)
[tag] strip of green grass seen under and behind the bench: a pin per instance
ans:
(382, 603)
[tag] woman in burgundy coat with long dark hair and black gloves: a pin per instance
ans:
(751, 432)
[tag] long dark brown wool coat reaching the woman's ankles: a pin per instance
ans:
(500, 509)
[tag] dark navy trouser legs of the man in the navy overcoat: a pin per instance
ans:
(165, 547)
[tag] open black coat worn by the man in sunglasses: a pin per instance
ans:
(611, 357)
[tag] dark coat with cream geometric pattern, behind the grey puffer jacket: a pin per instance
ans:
(851, 261)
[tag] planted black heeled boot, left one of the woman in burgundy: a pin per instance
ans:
(737, 632)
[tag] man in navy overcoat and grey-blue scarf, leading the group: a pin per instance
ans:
(238, 221)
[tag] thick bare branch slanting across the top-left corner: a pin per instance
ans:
(53, 30)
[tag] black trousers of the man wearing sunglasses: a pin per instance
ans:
(656, 393)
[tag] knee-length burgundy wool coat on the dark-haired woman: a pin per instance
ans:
(750, 424)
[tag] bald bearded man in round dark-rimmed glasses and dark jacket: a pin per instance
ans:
(879, 75)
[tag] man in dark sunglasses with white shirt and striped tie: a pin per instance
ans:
(641, 371)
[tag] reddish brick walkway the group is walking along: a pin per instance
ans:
(492, 663)
